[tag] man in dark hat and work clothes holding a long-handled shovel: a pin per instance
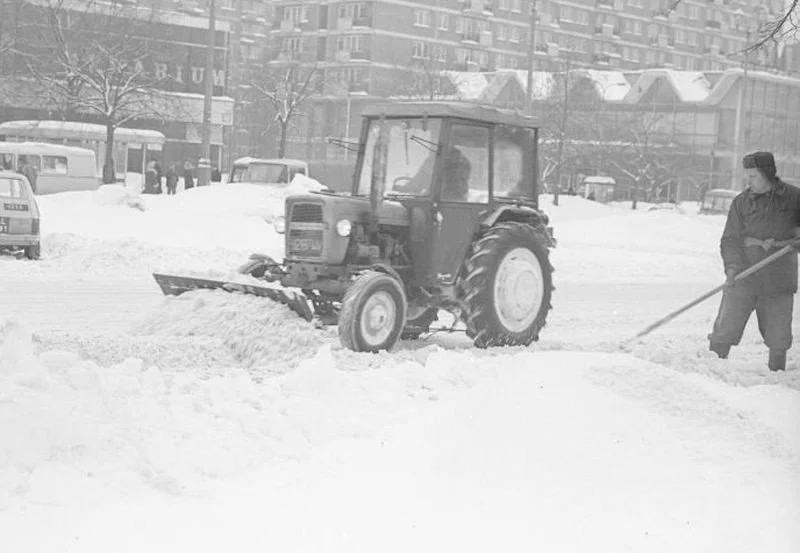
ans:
(762, 219)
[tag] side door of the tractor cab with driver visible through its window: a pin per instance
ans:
(461, 195)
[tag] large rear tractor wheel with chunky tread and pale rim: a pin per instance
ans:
(506, 286)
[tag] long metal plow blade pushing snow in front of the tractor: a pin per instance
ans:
(176, 285)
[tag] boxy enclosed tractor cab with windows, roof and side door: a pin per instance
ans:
(450, 165)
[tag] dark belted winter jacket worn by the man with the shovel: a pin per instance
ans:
(772, 215)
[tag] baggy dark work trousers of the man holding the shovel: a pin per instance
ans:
(774, 317)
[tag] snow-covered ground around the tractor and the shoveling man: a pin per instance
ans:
(212, 421)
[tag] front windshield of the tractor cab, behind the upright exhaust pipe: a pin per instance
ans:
(410, 155)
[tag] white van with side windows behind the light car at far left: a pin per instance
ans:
(56, 168)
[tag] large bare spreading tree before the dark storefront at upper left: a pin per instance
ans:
(93, 61)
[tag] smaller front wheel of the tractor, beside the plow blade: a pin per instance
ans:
(373, 313)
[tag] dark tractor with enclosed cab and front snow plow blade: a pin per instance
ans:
(443, 215)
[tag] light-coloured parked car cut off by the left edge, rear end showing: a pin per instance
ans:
(19, 216)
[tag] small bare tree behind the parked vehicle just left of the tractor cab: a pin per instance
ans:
(286, 87)
